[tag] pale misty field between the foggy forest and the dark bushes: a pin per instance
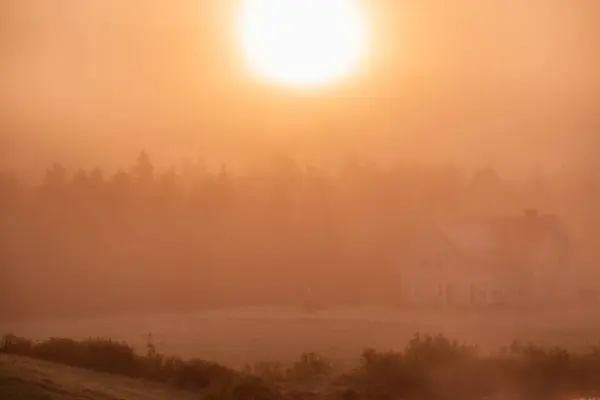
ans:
(244, 336)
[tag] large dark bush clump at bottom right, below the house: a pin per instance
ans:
(437, 368)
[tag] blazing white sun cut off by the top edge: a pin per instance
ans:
(302, 42)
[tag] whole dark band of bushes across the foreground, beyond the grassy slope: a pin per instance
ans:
(430, 367)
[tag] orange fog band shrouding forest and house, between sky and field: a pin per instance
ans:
(279, 232)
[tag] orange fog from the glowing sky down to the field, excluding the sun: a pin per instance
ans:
(145, 169)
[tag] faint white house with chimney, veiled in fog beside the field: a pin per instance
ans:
(512, 259)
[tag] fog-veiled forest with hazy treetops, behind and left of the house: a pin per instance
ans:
(272, 232)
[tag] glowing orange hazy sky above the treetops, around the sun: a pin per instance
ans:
(484, 80)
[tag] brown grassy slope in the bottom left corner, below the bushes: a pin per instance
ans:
(22, 378)
